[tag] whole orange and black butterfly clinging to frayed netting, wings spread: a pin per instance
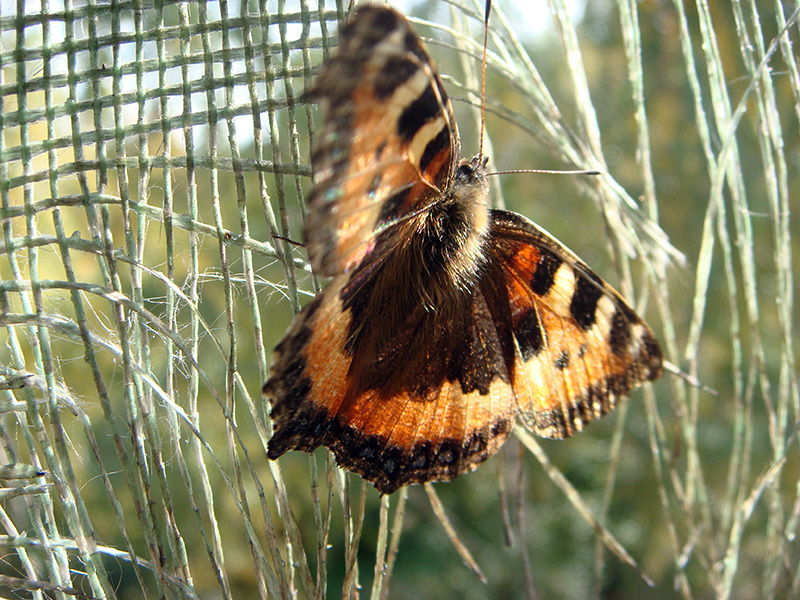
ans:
(443, 319)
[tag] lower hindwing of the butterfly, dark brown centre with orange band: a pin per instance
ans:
(398, 399)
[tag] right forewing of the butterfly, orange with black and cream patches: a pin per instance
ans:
(579, 346)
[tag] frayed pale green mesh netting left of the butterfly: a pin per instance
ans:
(148, 153)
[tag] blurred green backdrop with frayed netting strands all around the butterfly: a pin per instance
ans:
(150, 152)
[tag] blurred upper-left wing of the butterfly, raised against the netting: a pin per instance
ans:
(389, 144)
